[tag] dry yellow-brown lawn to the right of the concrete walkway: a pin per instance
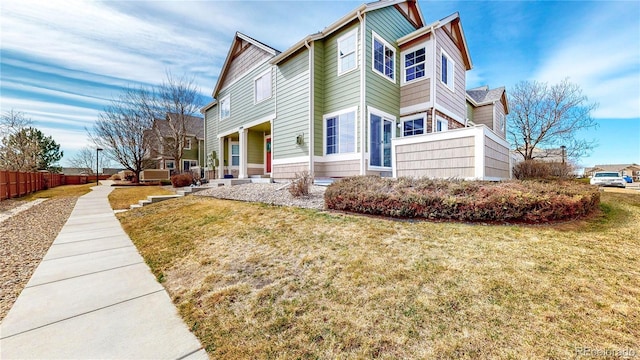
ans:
(256, 281)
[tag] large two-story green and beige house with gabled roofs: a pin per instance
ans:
(378, 92)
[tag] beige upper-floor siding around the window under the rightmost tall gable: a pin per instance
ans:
(453, 101)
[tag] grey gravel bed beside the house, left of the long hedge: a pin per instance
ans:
(268, 194)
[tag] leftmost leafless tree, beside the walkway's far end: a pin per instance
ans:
(120, 129)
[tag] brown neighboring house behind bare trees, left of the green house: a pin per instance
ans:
(193, 146)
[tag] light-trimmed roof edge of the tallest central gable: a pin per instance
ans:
(408, 8)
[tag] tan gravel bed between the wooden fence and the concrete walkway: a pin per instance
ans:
(24, 240)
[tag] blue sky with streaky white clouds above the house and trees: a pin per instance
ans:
(61, 62)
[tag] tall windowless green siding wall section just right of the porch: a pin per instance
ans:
(293, 107)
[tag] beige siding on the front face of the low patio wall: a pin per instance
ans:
(439, 159)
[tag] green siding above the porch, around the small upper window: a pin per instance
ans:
(243, 109)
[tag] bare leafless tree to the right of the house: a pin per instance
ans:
(544, 117)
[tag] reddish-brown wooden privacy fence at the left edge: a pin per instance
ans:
(17, 184)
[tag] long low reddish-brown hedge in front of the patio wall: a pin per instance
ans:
(476, 201)
